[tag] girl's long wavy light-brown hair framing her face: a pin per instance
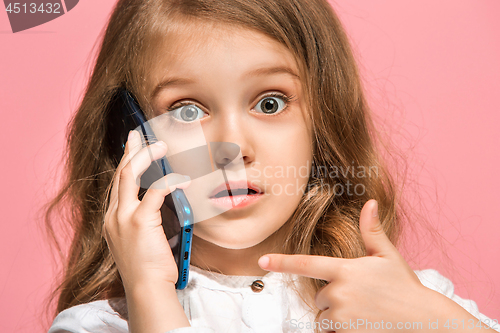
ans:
(324, 223)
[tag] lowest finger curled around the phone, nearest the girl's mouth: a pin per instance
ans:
(155, 195)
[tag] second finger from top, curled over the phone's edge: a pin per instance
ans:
(128, 188)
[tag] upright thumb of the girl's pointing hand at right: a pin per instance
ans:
(376, 241)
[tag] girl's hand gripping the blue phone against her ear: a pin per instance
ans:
(133, 227)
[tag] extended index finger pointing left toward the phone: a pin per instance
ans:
(317, 267)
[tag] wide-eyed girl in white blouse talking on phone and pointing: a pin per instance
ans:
(312, 252)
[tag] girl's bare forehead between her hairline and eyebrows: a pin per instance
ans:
(196, 49)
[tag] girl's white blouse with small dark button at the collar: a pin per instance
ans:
(216, 303)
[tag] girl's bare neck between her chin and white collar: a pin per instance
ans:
(211, 257)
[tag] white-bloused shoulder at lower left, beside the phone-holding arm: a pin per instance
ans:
(97, 316)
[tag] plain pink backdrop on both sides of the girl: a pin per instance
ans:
(430, 67)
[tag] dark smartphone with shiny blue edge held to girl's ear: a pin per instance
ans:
(124, 115)
